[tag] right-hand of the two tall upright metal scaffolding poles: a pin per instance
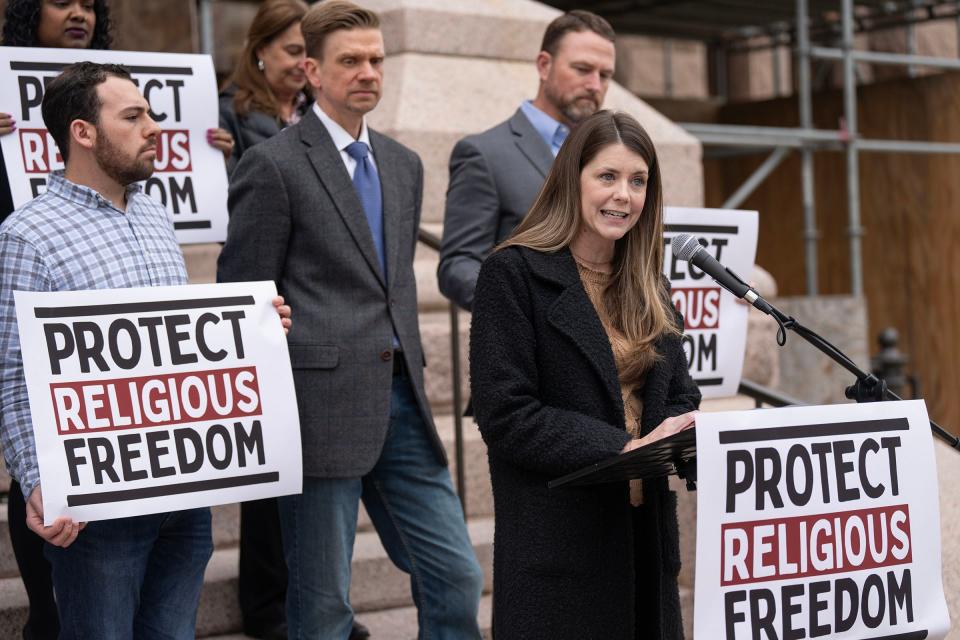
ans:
(855, 231)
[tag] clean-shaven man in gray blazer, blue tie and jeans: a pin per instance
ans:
(329, 209)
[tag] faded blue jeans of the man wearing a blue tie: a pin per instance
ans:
(411, 502)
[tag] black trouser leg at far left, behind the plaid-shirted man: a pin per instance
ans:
(43, 623)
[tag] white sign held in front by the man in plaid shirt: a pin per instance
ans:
(158, 399)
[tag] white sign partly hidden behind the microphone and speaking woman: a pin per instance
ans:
(715, 331)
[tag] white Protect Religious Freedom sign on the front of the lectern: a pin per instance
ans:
(818, 522)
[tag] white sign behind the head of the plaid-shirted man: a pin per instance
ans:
(190, 177)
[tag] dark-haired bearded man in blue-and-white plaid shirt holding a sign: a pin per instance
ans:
(137, 577)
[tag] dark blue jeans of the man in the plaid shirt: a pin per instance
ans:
(134, 577)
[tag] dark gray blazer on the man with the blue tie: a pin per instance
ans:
(295, 218)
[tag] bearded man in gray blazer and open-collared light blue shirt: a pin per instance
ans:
(496, 175)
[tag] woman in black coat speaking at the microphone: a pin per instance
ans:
(576, 357)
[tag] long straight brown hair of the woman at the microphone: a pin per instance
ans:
(635, 299)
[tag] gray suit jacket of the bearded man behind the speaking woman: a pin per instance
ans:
(494, 178)
